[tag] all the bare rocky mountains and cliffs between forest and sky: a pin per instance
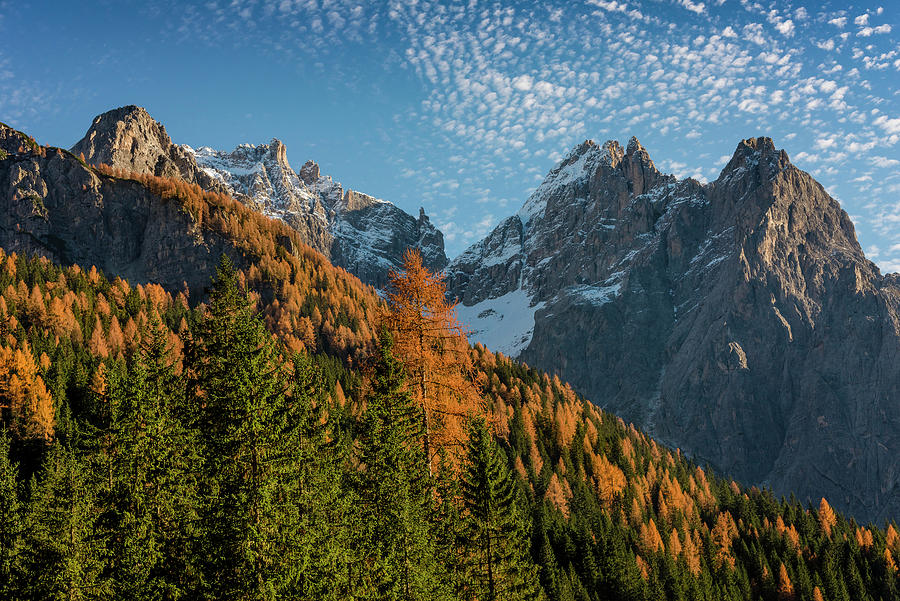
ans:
(737, 320)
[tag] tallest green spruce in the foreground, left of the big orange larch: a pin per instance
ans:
(250, 434)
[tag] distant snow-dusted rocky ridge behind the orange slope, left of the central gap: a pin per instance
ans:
(355, 231)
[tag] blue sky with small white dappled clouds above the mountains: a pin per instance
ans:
(463, 106)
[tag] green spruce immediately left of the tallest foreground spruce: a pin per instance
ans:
(150, 499)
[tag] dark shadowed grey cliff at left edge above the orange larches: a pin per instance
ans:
(57, 207)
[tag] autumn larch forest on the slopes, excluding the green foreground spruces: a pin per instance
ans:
(613, 514)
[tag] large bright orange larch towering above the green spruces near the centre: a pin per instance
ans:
(433, 348)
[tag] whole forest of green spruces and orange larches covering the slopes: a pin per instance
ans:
(285, 434)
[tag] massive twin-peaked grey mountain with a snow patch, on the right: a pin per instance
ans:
(739, 320)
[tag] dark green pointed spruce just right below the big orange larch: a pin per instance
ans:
(500, 567)
